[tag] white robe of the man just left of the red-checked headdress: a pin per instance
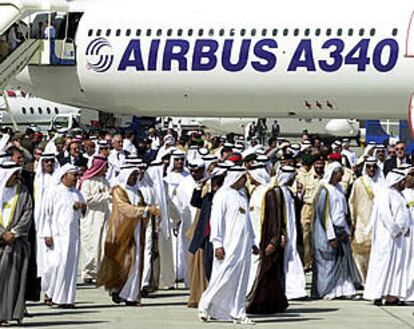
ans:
(64, 224)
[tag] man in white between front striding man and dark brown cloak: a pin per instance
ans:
(261, 181)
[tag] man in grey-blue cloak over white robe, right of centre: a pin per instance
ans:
(334, 271)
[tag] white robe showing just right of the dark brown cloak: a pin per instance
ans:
(294, 274)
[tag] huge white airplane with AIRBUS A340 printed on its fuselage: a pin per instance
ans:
(233, 58)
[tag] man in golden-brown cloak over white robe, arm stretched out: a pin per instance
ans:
(122, 266)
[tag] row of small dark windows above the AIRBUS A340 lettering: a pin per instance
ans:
(242, 32)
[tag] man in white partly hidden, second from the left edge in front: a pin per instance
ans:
(43, 185)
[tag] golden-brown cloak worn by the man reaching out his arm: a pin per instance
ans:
(120, 246)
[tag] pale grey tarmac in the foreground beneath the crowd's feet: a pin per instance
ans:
(168, 310)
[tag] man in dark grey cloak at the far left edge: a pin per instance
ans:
(15, 222)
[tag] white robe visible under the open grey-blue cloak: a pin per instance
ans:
(337, 216)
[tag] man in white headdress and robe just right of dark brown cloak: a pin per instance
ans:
(294, 273)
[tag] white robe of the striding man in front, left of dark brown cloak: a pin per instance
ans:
(231, 228)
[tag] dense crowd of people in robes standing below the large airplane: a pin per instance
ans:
(237, 222)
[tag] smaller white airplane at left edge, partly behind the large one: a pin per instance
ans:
(21, 110)
